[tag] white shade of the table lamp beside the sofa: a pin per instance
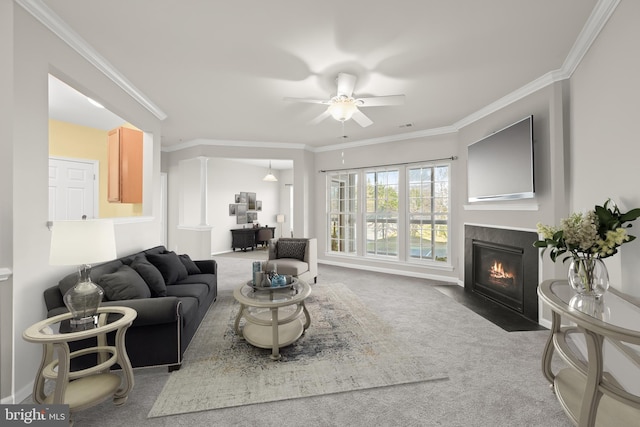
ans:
(82, 242)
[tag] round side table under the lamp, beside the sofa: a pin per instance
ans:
(87, 387)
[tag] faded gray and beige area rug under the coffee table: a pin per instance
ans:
(347, 347)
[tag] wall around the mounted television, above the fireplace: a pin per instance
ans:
(548, 107)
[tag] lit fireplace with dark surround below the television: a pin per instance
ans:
(502, 265)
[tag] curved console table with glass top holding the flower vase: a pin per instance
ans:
(590, 395)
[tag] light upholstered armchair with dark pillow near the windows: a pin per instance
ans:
(295, 256)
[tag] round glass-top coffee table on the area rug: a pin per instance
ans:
(273, 316)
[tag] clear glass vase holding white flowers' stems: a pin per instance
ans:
(588, 276)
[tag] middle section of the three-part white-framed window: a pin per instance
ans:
(382, 212)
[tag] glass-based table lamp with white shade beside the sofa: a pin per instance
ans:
(82, 243)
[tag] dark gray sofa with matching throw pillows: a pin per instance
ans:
(170, 292)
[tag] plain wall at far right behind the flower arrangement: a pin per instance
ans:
(605, 141)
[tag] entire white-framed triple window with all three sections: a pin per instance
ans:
(364, 213)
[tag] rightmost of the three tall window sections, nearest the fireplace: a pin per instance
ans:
(428, 201)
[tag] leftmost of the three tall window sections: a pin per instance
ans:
(343, 209)
